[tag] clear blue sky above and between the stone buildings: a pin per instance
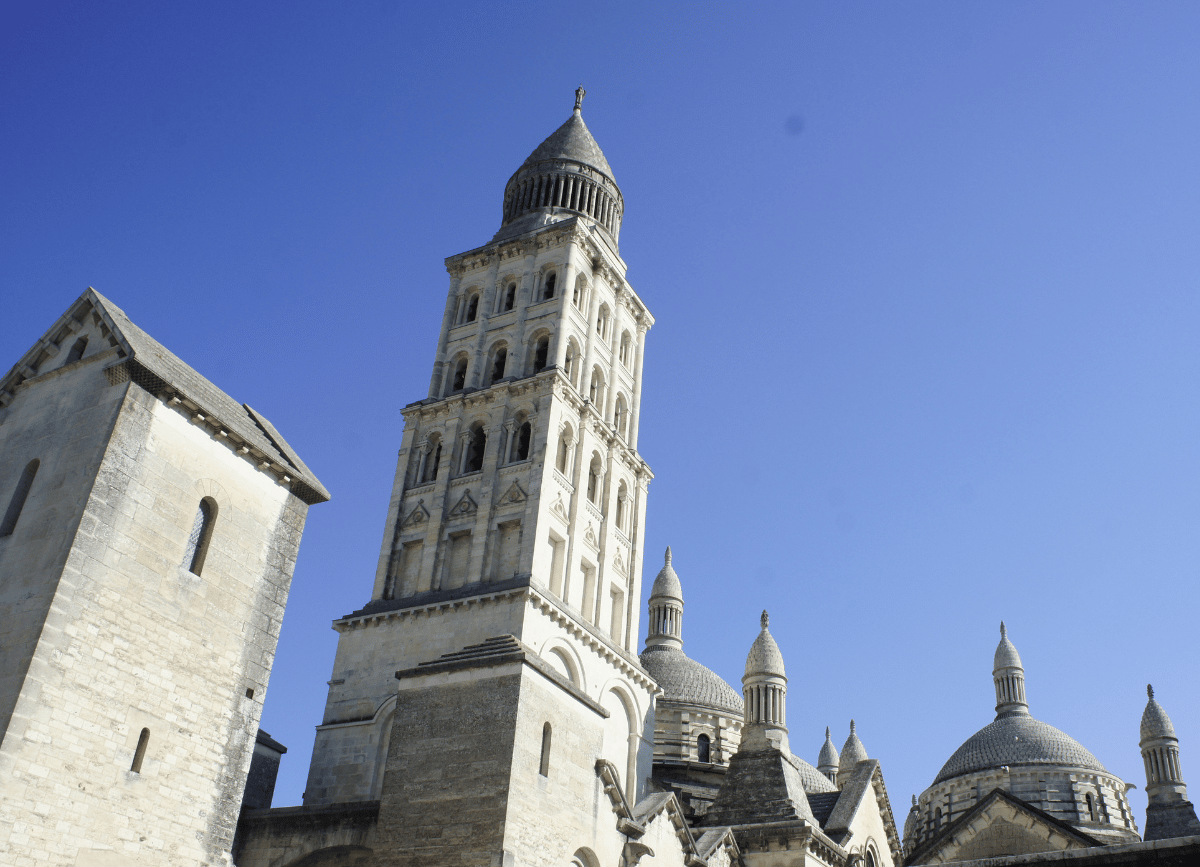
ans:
(926, 277)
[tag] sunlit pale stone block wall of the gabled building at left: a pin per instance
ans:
(134, 642)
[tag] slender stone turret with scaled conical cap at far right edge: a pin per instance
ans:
(1168, 814)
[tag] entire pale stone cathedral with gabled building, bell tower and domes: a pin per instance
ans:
(489, 704)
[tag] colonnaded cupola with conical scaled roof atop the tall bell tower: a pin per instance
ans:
(566, 176)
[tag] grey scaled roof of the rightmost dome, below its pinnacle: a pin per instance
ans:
(1018, 740)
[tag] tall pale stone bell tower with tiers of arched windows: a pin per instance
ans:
(513, 546)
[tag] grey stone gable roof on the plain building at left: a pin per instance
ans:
(153, 367)
